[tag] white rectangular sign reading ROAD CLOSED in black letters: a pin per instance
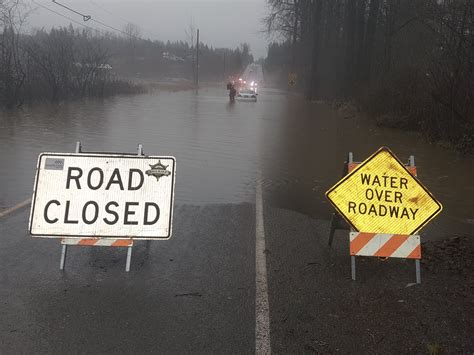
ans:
(103, 195)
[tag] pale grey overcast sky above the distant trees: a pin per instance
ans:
(222, 23)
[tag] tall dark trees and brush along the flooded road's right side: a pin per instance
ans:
(407, 62)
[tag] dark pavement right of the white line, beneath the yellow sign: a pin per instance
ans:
(317, 308)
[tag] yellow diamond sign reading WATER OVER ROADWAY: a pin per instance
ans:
(381, 196)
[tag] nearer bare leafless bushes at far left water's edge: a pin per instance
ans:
(56, 65)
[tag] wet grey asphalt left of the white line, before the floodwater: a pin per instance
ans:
(193, 293)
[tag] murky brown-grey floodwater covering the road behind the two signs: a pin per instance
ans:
(294, 148)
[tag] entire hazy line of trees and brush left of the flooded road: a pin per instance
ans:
(69, 62)
